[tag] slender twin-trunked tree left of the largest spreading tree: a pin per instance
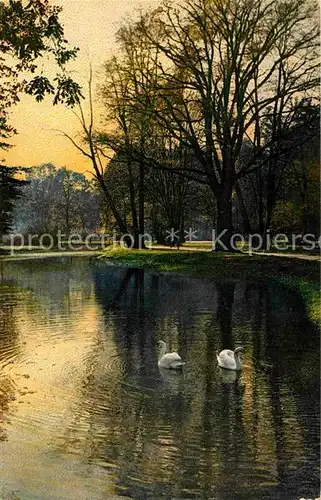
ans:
(126, 108)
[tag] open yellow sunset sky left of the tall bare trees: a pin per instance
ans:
(90, 25)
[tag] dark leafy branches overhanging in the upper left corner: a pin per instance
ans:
(28, 31)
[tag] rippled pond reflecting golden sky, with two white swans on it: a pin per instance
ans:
(85, 412)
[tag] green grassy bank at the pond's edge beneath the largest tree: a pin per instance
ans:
(302, 275)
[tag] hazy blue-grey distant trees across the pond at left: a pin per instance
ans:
(56, 199)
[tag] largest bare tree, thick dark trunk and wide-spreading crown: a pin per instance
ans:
(221, 66)
